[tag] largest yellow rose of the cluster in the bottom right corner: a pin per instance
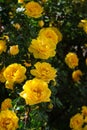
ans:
(76, 121)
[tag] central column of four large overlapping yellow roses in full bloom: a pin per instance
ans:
(43, 47)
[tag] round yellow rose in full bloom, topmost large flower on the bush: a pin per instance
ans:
(33, 9)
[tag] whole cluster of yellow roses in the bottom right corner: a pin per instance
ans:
(79, 121)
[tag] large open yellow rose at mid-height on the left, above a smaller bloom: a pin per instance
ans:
(15, 73)
